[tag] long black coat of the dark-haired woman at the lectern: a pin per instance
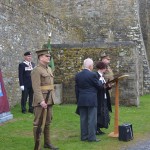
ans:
(103, 108)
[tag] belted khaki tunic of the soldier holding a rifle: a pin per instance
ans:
(42, 80)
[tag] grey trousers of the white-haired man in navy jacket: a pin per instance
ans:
(88, 122)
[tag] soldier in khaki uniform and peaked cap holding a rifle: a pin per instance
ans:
(42, 81)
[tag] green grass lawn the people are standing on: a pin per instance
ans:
(16, 134)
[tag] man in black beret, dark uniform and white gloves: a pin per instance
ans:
(24, 70)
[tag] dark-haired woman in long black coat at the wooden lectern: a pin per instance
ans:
(104, 102)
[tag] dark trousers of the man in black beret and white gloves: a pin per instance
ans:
(28, 92)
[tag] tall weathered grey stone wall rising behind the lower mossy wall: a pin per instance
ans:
(25, 24)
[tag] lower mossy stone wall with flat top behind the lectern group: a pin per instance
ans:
(72, 56)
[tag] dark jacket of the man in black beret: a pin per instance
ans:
(24, 73)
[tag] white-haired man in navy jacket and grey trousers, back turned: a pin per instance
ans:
(86, 86)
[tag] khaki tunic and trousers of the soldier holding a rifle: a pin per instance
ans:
(42, 81)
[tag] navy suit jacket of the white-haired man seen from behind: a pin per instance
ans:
(86, 86)
